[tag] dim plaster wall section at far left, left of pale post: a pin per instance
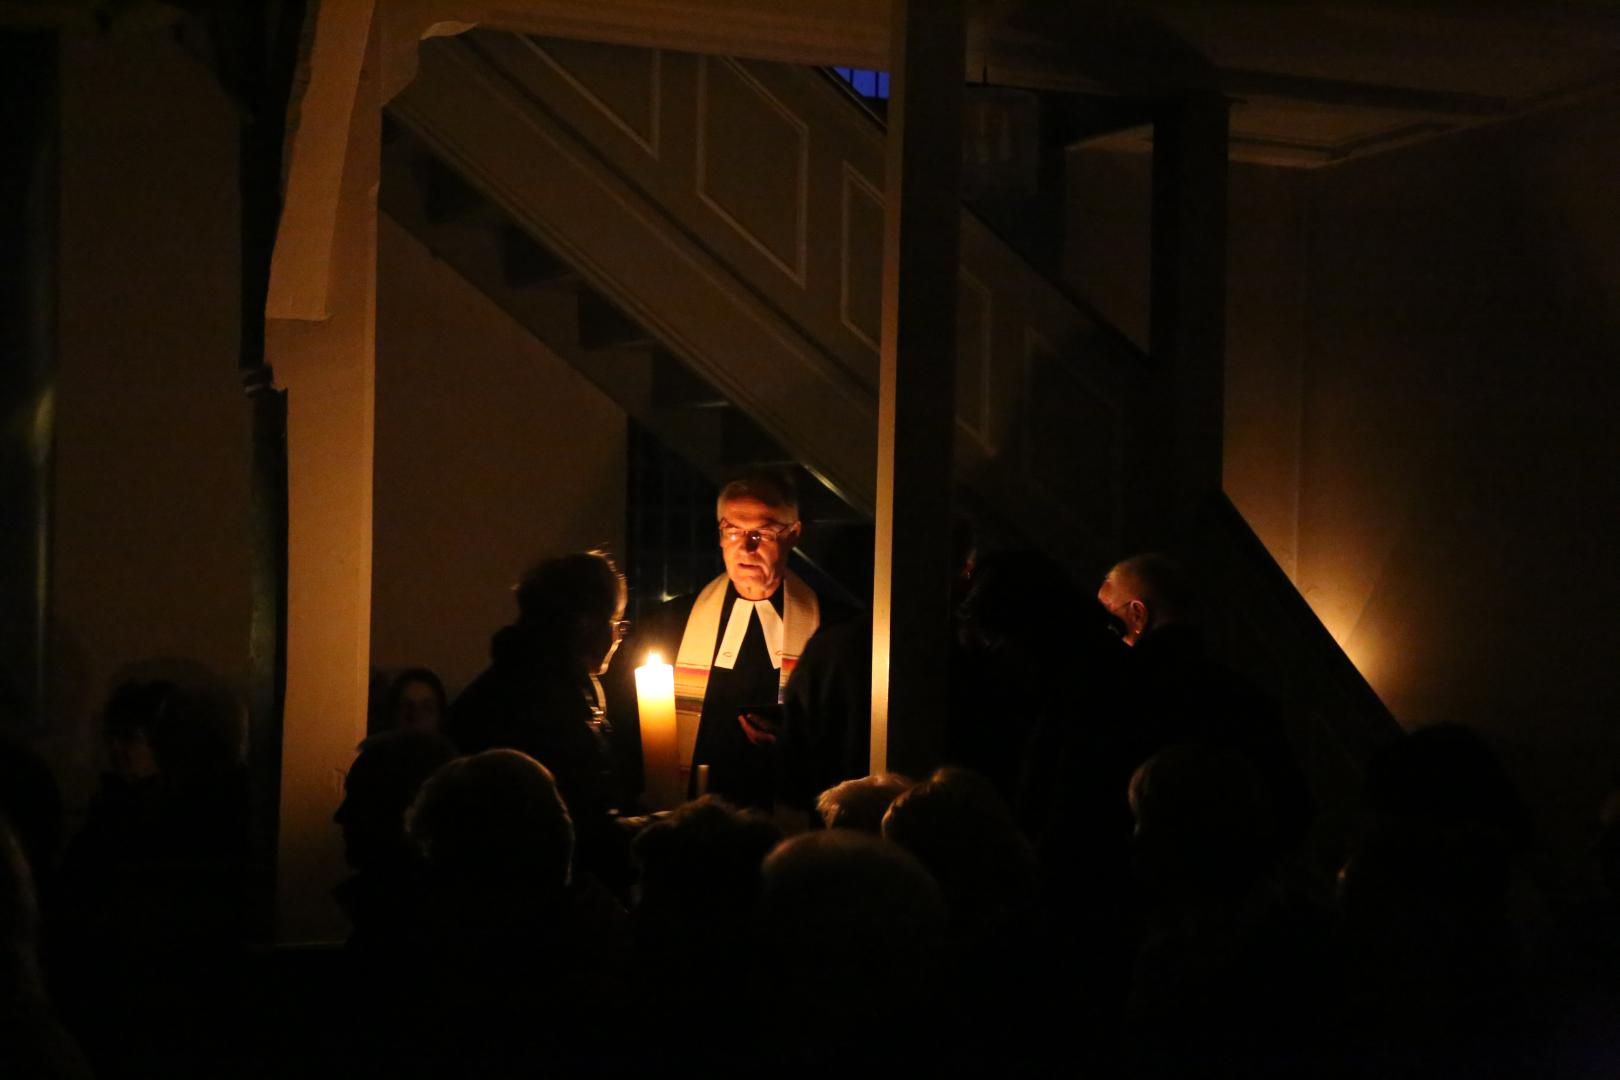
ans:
(150, 540)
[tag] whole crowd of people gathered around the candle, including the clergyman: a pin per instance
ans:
(1117, 869)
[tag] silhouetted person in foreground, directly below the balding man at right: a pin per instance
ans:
(1235, 972)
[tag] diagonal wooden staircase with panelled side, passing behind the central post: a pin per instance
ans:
(704, 239)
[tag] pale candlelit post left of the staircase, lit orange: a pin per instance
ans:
(330, 372)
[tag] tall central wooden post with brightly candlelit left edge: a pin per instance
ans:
(916, 385)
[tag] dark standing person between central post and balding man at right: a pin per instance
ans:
(1036, 710)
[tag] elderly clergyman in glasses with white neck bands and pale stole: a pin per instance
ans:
(735, 644)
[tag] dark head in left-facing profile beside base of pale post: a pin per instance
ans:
(380, 788)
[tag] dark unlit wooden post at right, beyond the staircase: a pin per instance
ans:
(1190, 292)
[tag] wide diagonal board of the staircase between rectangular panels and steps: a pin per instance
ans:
(670, 281)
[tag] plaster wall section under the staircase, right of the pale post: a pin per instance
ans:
(492, 453)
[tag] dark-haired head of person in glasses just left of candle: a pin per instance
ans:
(574, 605)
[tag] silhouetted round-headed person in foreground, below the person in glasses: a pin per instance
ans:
(521, 967)
